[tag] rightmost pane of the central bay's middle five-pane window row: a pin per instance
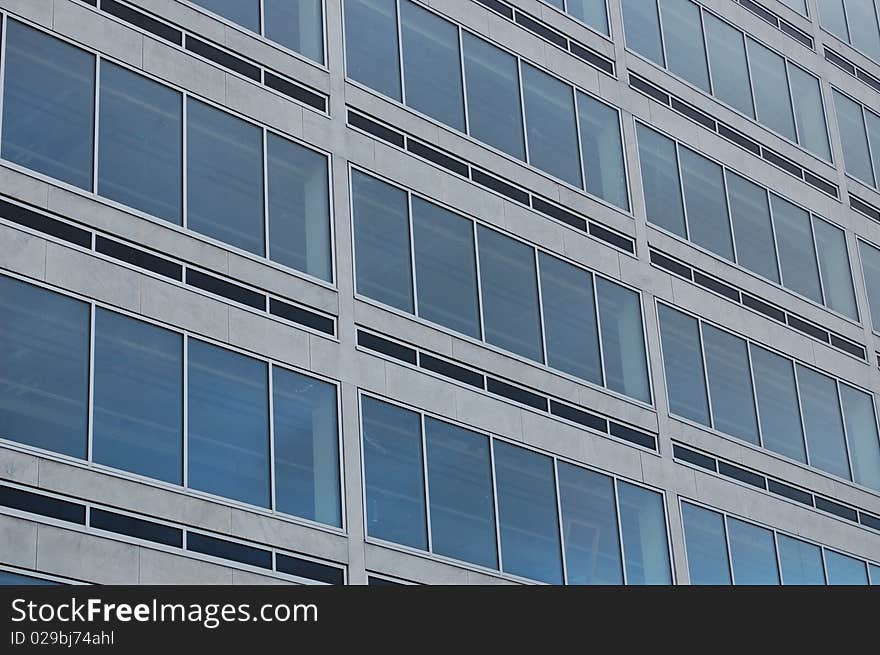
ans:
(623, 342)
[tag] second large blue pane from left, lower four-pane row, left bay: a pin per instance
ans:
(138, 405)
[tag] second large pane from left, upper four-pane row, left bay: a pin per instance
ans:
(140, 143)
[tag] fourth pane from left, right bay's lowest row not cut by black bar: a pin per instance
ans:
(822, 422)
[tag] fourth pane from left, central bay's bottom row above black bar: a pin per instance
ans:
(589, 526)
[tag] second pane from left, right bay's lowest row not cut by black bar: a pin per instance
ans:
(730, 384)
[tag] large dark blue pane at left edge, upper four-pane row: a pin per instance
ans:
(48, 105)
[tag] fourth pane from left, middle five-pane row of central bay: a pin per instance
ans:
(570, 319)
